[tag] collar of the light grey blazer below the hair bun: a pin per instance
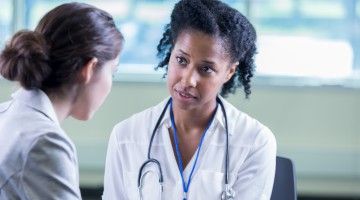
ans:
(37, 99)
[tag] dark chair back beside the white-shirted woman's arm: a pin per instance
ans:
(285, 181)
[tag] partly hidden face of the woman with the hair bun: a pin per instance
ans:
(93, 94)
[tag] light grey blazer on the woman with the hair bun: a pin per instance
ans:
(37, 159)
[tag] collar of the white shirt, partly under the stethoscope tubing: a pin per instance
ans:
(218, 118)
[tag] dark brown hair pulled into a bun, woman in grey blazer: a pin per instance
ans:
(65, 39)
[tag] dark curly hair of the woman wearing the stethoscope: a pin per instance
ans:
(215, 18)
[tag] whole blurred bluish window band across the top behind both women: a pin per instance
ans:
(298, 40)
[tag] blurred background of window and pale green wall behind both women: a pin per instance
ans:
(306, 89)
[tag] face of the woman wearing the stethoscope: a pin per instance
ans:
(198, 68)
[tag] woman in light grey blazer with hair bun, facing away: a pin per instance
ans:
(65, 69)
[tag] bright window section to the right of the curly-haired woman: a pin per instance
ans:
(305, 38)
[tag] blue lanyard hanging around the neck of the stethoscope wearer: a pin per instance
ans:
(178, 154)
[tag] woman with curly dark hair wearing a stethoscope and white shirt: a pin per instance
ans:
(196, 145)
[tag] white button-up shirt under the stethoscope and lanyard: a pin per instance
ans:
(252, 154)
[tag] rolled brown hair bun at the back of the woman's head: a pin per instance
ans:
(25, 59)
